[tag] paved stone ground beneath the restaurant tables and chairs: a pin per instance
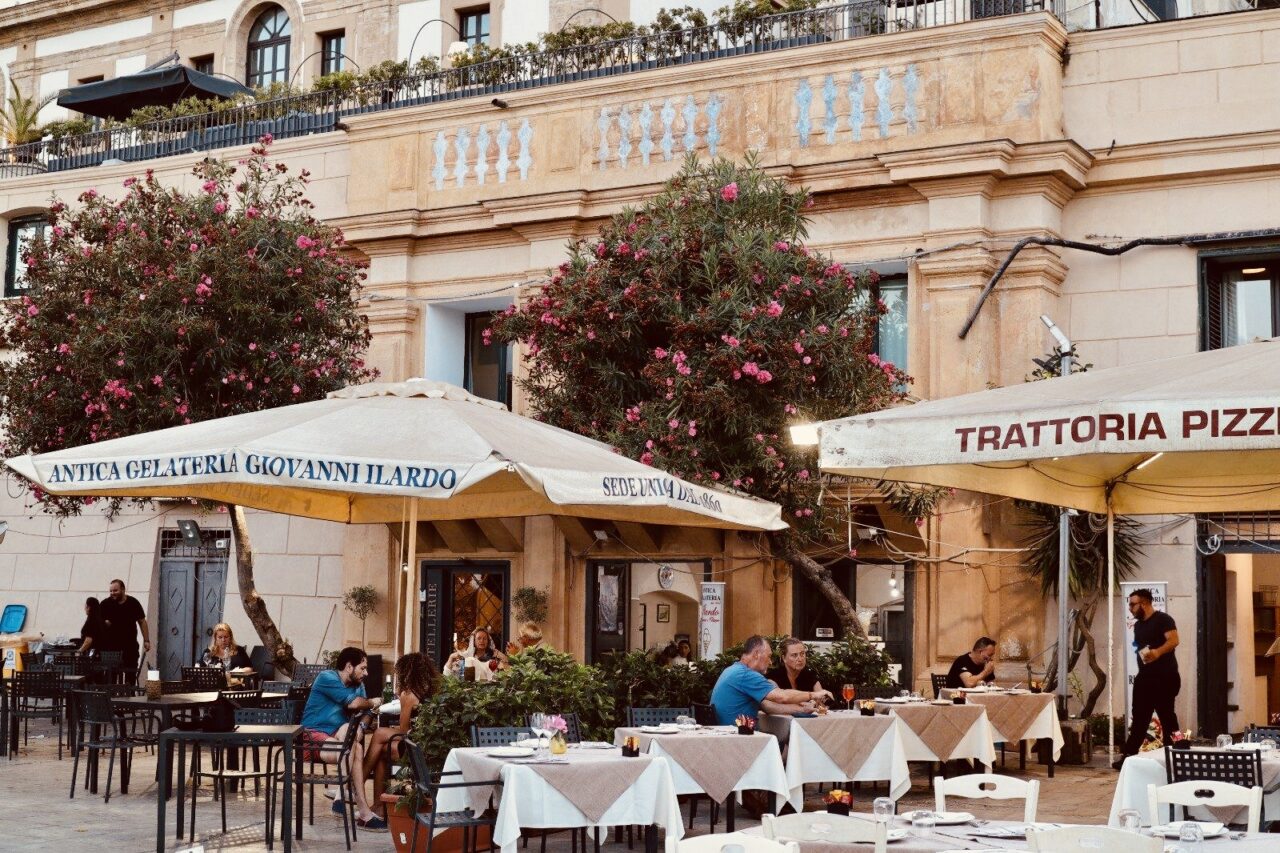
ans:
(38, 814)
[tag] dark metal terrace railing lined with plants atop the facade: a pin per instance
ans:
(323, 112)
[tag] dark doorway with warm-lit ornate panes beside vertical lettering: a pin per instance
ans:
(459, 597)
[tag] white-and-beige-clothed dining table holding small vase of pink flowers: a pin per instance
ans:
(589, 786)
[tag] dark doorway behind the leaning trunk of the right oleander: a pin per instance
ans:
(888, 590)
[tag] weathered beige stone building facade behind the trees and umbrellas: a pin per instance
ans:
(930, 150)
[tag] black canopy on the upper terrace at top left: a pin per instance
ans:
(118, 98)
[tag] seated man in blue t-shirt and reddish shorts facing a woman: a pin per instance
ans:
(335, 695)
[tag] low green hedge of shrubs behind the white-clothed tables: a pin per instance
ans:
(551, 682)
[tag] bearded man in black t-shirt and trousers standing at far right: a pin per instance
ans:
(1156, 686)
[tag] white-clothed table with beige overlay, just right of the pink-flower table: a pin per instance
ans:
(716, 761)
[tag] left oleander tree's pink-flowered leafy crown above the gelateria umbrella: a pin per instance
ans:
(244, 300)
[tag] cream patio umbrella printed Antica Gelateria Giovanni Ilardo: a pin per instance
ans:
(392, 453)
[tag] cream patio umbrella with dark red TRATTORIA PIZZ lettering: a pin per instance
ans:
(1196, 434)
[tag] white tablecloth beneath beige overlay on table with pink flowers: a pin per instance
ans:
(529, 801)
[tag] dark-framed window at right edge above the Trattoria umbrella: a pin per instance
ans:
(1241, 300)
